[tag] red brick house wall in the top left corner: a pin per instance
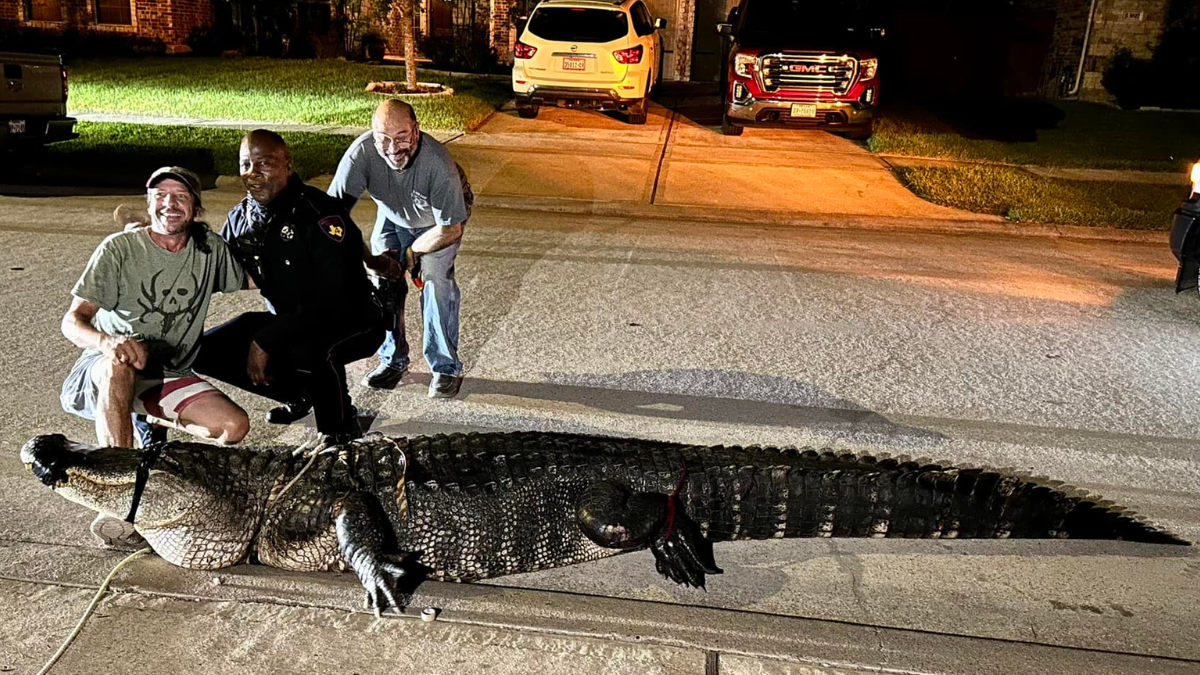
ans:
(171, 21)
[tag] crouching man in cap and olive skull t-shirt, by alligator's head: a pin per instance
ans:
(139, 314)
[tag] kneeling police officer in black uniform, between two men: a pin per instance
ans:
(302, 250)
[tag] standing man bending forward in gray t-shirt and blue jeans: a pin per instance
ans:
(423, 201)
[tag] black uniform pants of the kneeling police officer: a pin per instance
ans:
(311, 369)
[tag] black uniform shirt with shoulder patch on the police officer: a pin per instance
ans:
(305, 255)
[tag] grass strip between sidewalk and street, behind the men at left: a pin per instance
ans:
(140, 150)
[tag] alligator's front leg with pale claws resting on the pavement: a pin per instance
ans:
(365, 539)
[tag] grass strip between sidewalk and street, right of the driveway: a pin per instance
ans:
(1023, 198)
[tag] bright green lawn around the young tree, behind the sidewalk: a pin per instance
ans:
(273, 91)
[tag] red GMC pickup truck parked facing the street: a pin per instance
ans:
(801, 63)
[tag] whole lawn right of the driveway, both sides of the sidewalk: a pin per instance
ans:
(1059, 134)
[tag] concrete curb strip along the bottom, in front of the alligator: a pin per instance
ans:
(740, 642)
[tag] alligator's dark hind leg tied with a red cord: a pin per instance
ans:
(615, 517)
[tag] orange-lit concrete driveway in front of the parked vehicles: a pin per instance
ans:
(681, 159)
